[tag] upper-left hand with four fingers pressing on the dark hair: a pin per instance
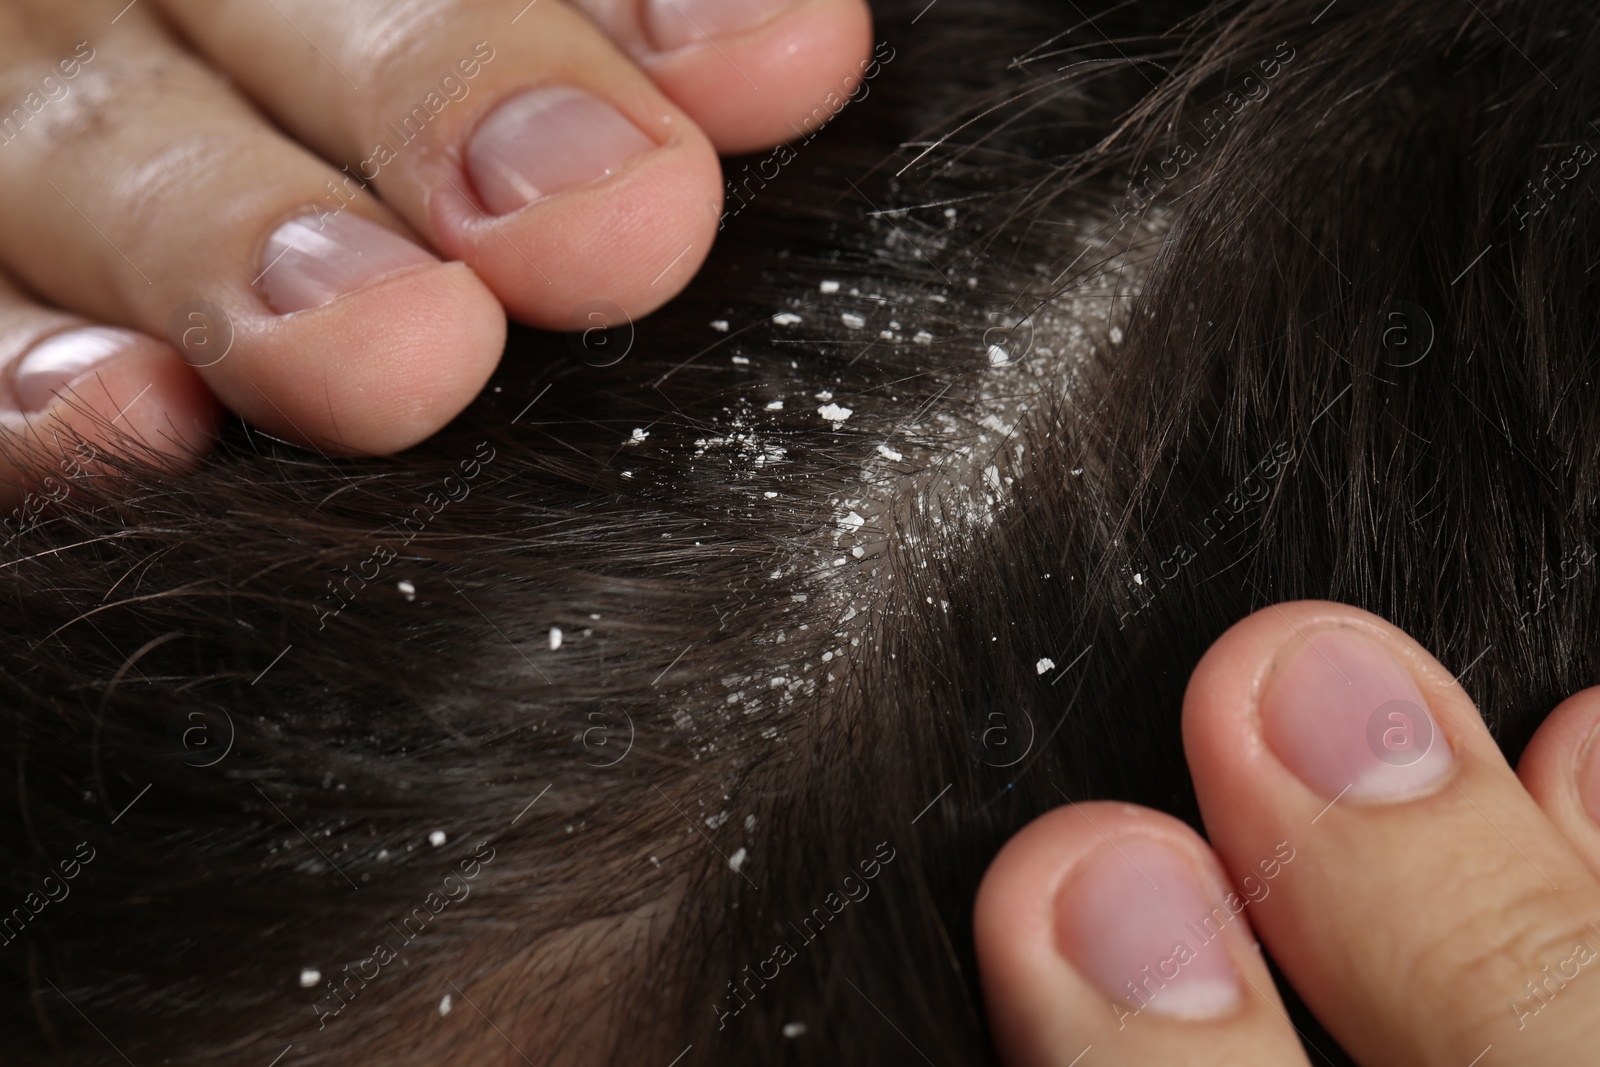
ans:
(332, 207)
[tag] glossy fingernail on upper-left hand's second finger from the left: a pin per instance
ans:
(316, 260)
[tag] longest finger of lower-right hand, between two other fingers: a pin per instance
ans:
(1428, 895)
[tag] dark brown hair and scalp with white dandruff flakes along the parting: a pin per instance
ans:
(588, 716)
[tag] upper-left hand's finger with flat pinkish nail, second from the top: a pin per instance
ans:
(513, 137)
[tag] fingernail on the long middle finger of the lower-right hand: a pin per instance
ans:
(1345, 716)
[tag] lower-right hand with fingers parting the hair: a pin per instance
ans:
(1426, 901)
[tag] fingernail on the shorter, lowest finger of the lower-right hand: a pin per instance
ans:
(1138, 927)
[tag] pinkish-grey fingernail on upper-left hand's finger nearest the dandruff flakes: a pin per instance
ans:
(548, 140)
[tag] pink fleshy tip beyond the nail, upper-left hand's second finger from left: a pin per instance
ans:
(374, 372)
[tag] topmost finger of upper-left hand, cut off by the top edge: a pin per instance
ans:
(751, 73)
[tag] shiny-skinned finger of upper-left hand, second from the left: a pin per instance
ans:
(151, 191)
